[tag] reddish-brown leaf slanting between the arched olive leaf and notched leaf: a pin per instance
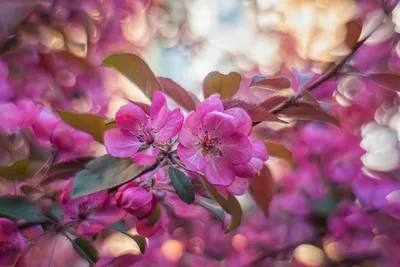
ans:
(178, 93)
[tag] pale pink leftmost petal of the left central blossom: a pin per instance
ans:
(121, 143)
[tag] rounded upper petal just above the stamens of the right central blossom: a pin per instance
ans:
(218, 124)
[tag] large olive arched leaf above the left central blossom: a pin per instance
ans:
(136, 70)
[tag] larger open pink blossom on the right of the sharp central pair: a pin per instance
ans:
(214, 140)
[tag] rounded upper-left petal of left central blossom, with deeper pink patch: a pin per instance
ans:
(130, 117)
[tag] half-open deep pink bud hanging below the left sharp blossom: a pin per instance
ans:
(136, 200)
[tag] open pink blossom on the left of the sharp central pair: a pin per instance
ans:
(137, 130)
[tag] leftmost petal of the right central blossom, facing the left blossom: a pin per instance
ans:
(190, 129)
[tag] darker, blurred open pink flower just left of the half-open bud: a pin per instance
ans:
(93, 212)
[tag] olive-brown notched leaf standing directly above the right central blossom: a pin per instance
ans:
(218, 83)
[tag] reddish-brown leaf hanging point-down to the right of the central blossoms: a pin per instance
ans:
(262, 188)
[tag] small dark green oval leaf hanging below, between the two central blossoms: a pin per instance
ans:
(182, 185)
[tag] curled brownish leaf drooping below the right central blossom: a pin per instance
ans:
(230, 205)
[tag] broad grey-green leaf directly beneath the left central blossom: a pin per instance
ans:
(103, 173)
